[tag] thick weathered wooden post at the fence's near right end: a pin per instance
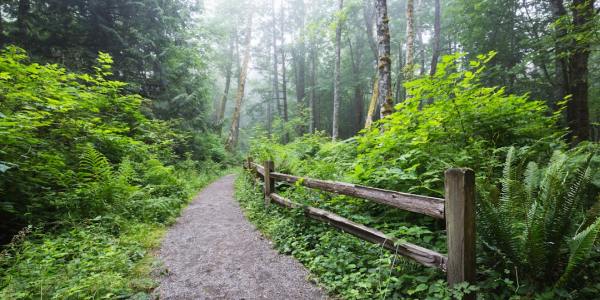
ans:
(460, 225)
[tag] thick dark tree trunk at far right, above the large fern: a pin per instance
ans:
(578, 116)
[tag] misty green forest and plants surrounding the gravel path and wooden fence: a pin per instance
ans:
(113, 114)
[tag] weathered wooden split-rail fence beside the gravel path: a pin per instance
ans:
(457, 209)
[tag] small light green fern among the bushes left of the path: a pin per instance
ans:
(93, 166)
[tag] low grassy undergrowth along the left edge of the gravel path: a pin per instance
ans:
(105, 257)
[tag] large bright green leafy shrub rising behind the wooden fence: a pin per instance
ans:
(451, 120)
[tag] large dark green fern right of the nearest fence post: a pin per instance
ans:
(539, 221)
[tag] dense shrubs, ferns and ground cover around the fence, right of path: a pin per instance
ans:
(542, 225)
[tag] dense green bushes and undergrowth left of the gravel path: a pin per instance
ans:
(91, 179)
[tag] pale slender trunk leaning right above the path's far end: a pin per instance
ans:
(235, 122)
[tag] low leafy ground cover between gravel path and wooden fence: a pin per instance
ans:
(344, 265)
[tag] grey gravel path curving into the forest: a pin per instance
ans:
(213, 252)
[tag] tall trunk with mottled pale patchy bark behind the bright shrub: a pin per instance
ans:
(384, 66)
